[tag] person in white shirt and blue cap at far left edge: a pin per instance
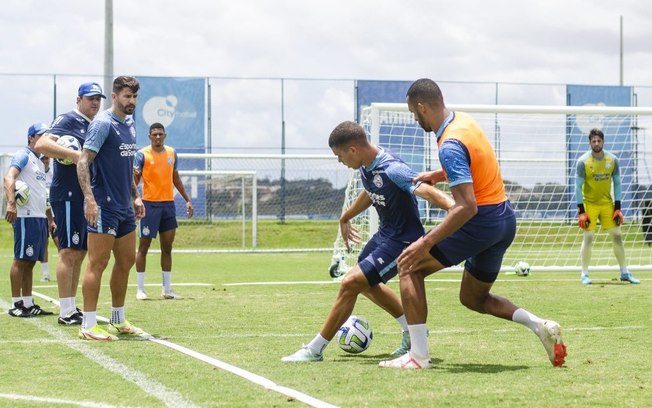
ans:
(27, 214)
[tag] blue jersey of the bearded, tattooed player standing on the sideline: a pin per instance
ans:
(114, 141)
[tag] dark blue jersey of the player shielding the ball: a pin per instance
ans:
(388, 182)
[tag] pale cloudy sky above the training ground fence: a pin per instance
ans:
(247, 45)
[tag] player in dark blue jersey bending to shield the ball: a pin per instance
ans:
(388, 186)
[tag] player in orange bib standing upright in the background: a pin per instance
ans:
(156, 165)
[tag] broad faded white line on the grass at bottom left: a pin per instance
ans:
(169, 397)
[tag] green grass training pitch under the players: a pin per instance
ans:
(239, 318)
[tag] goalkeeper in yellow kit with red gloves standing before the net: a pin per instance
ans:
(595, 171)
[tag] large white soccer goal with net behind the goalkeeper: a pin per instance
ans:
(537, 147)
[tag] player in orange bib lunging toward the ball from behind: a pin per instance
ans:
(478, 229)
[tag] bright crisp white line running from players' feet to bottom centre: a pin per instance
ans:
(255, 378)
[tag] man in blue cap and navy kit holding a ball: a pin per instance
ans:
(66, 197)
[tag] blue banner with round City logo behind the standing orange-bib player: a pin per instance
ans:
(179, 104)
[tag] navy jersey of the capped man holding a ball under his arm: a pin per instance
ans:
(65, 184)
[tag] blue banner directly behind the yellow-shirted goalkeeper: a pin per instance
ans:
(617, 130)
